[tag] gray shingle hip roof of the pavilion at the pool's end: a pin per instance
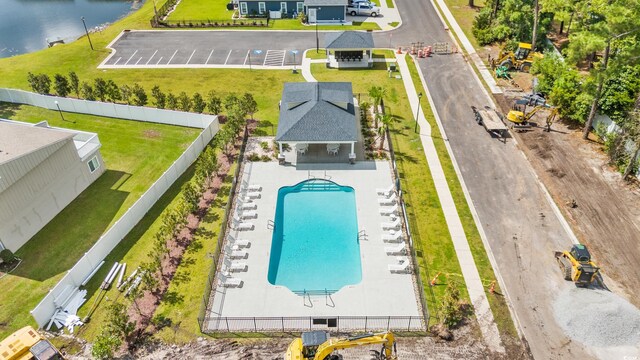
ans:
(320, 111)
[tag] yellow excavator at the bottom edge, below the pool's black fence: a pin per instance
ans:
(316, 345)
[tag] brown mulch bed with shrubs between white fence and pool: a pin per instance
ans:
(143, 309)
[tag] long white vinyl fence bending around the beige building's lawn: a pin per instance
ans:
(110, 239)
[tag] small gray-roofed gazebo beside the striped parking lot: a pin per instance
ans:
(349, 49)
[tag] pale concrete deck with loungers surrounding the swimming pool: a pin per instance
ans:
(380, 293)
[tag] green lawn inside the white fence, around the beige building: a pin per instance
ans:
(135, 155)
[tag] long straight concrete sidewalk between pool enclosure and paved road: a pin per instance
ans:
(461, 245)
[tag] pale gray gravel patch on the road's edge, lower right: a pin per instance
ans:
(598, 318)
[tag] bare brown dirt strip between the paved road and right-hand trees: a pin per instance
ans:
(607, 216)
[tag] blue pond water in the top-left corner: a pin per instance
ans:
(27, 25)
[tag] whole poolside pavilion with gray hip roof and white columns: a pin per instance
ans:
(318, 122)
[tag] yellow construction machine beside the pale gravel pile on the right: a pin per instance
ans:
(576, 265)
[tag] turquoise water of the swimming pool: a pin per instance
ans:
(315, 241)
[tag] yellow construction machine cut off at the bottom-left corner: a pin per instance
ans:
(26, 344)
